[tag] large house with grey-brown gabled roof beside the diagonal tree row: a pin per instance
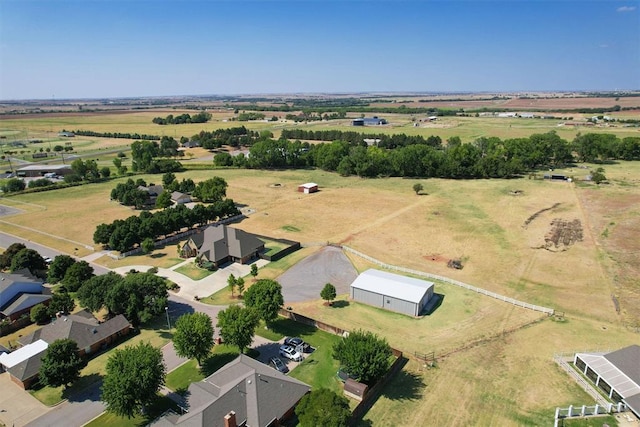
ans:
(220, 244)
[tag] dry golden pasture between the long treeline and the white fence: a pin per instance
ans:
(480, 222)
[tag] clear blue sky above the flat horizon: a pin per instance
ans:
(119, 48)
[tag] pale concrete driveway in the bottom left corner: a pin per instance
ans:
(17, 407)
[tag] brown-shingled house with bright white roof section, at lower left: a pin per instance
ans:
(90, 335)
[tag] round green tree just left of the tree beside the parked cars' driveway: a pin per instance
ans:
(193, 337)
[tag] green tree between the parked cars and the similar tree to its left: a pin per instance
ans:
(237, 325)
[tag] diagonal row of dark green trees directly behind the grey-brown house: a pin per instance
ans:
(124, 235)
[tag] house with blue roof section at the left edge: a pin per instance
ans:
(19, 291)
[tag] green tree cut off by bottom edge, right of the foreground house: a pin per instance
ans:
(323, 407)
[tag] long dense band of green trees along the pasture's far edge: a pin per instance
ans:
(408, 156)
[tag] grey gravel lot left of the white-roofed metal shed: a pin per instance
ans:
(305, 280)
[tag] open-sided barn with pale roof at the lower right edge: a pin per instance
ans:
(616, 373)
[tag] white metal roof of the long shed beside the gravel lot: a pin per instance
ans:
(393, 285)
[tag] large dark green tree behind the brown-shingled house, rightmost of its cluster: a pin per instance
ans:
(140, 297)
